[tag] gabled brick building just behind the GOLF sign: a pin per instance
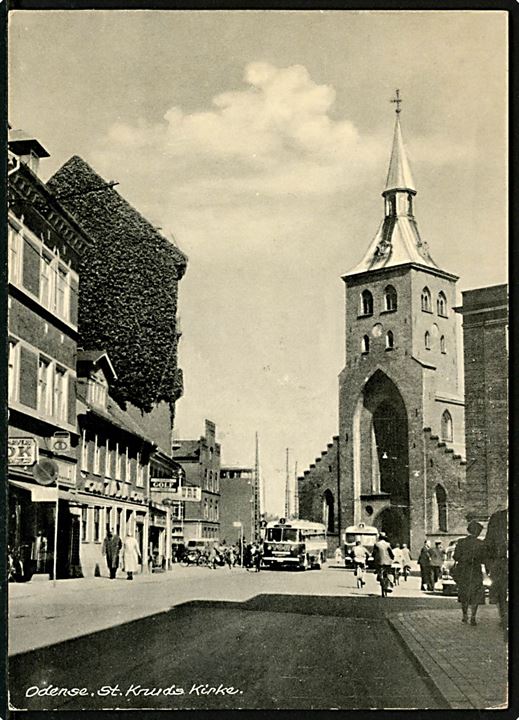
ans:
(200, 460)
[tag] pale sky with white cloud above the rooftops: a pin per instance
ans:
(260, 143)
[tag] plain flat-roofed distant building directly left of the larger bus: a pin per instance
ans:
(236, 503)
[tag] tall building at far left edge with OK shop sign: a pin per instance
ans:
(45, 245)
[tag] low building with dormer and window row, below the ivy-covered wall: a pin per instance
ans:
(114, 467)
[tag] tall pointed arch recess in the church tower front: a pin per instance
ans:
(381, 457)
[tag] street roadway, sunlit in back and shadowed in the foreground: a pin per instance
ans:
(196, 638)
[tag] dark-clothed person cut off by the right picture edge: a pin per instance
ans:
(496, 563)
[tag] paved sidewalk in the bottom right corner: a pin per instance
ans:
(467, 664)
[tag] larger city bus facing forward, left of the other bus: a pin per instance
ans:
(299, 543)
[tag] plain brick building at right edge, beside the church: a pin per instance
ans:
(485, 340)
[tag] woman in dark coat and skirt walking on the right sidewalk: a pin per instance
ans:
(468, 556)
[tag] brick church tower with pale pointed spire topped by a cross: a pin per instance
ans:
(401, 420)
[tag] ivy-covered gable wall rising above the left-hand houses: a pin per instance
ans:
(128, 288)
